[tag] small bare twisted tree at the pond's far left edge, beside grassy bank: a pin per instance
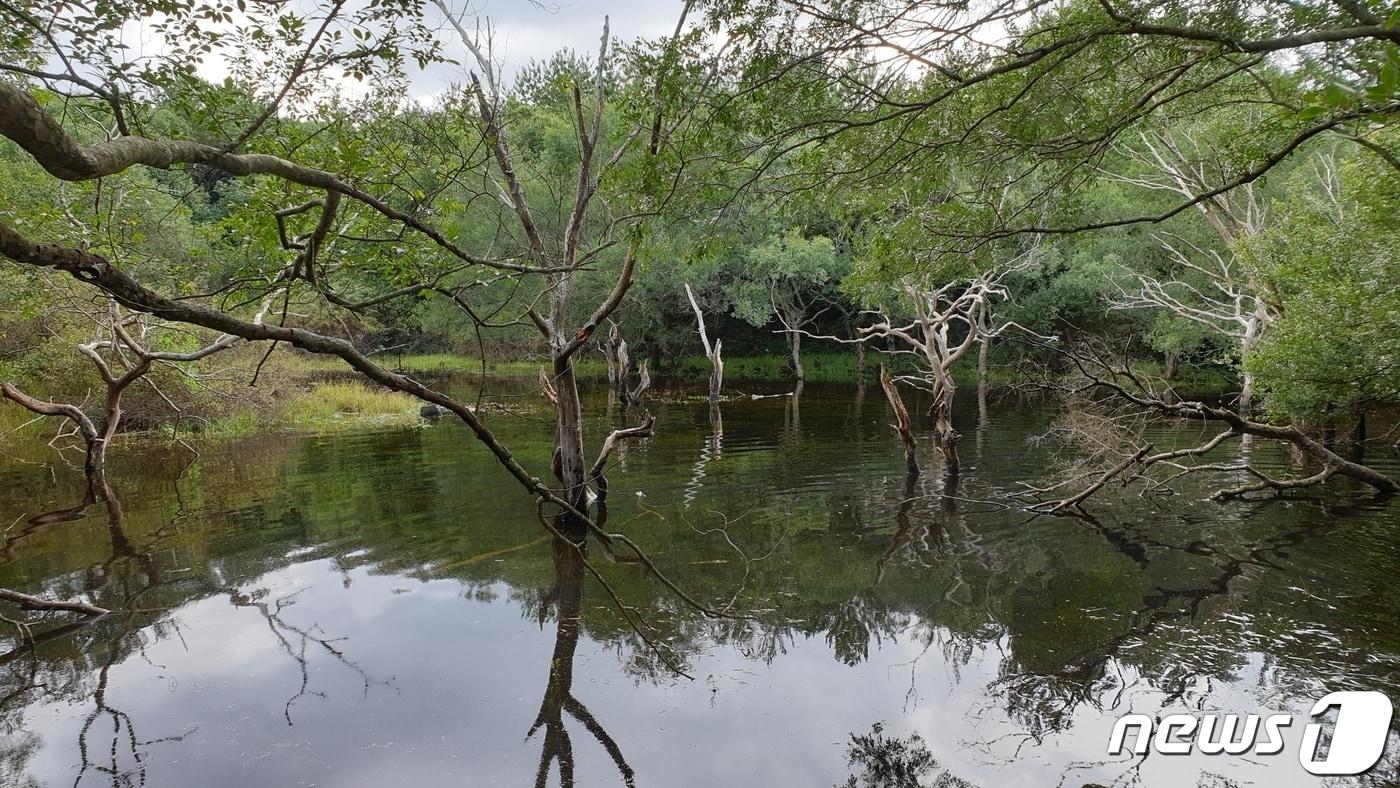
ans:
(122, 358)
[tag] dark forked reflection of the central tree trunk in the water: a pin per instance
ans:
(559, 699)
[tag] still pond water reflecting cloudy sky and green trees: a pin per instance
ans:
(383, 608)
